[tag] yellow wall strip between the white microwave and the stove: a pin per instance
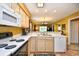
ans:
(14, 30)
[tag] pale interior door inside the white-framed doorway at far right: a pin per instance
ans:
(74, 32)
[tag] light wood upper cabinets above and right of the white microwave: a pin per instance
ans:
(24, 17)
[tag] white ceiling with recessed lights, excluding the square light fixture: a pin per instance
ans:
(51, 12)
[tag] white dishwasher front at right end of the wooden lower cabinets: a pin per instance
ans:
(60, 44)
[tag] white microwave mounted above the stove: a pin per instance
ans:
(9, 18)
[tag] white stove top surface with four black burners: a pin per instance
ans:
(10, 45)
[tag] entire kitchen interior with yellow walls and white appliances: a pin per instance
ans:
(39, 29)
